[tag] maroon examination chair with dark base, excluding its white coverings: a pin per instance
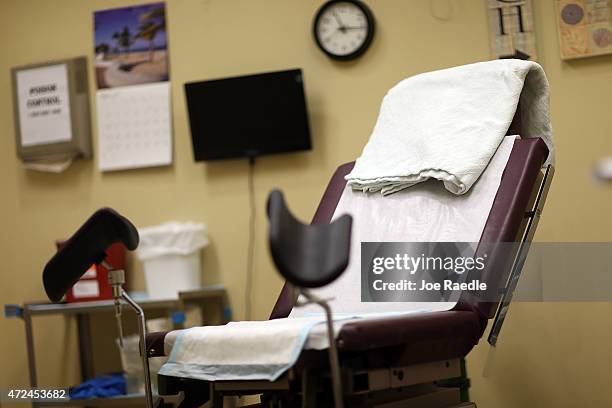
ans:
(404, 361)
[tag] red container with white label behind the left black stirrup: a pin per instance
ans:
(93, 285)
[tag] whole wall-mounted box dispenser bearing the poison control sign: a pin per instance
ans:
(52, 116)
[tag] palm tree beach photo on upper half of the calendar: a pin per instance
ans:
(131, 45)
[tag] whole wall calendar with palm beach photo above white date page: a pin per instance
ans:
(133, 97)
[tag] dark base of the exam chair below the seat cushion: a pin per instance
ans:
(405, 387)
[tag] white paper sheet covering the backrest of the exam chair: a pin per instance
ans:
(425, 212)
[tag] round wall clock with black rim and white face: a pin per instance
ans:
(344, 29)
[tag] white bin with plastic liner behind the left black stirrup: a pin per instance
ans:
(171, 256)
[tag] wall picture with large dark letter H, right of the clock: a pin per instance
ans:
(511, 29)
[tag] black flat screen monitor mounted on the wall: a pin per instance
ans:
(248, 116)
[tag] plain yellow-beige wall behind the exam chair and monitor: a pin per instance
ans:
(550, 355)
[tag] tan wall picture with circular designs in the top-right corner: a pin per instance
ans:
(584, 27)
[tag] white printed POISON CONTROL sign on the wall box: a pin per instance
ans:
(43, 105)
